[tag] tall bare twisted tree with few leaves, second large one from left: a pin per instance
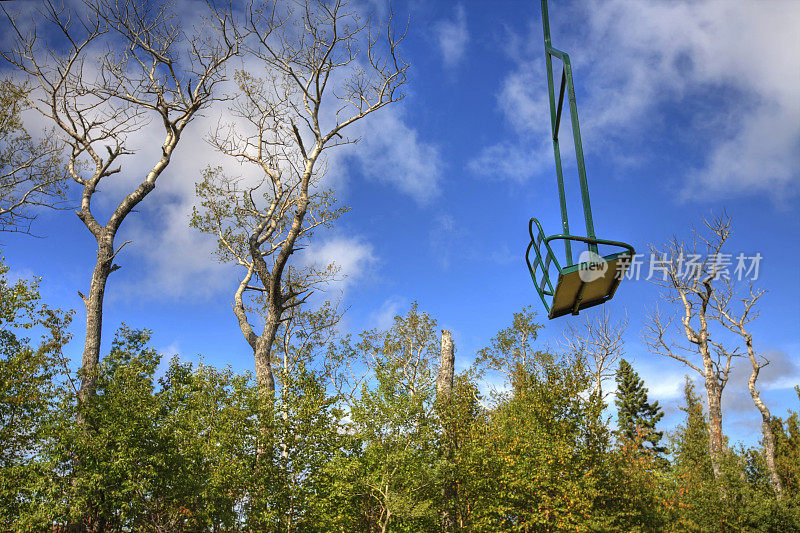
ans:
(324, 70)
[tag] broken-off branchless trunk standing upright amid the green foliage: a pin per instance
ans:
(444, 391)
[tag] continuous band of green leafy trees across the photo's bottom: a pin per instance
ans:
(182, 447)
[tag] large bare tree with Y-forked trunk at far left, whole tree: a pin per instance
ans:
(108, 69)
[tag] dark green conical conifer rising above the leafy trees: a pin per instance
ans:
(637, 417)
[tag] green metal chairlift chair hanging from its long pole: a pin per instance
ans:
(587, 283)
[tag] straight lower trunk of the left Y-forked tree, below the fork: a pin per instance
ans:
(94, 315)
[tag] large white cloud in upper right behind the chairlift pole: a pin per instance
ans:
(634, 57)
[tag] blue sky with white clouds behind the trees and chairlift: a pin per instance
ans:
(686, 108)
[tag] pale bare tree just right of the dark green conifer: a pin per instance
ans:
(691, 280)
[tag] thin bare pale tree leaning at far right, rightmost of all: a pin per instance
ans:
(723, 301)
